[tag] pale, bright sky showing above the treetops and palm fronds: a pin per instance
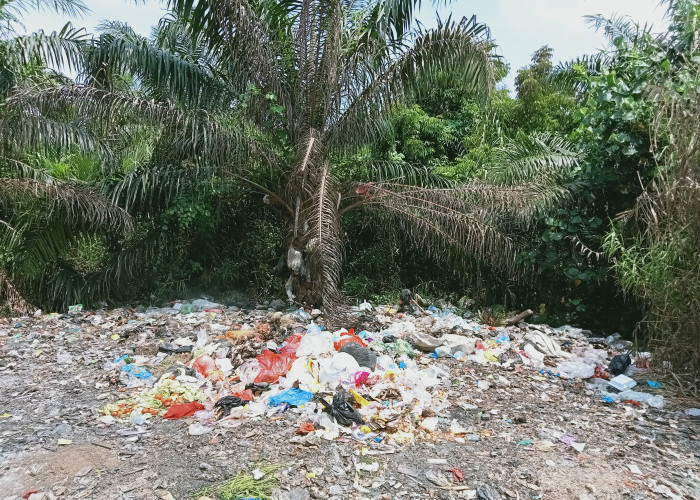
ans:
(519, 27)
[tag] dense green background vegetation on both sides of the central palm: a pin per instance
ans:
(116, 206)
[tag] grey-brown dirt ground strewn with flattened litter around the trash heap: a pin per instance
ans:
(52, 443)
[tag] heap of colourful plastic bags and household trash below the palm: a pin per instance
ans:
(384, 384)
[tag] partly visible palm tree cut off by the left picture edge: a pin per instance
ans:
(38, 212)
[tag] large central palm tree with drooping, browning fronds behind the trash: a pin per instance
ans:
(276, 95)
